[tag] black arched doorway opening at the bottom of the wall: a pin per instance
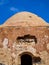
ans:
(26, 59)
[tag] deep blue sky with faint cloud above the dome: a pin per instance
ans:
(11, 7)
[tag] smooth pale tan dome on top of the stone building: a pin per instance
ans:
(25, 19)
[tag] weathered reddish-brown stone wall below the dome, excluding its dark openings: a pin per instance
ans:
(11, 49)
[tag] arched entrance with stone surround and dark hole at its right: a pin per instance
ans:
(27, 58)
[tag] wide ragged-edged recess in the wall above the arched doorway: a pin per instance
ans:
(27, 38)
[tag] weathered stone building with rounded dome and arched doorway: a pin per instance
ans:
(24, 40)
